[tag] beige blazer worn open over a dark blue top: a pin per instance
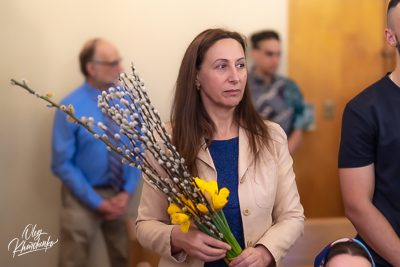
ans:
(271, 211)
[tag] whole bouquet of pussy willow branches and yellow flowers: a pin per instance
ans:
(191, 199)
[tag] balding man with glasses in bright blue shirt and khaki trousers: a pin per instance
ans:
(82, 163)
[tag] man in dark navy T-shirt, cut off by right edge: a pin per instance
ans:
(369, 158)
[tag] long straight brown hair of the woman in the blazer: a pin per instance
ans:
(189, 119)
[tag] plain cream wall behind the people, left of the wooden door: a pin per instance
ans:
(40, 40)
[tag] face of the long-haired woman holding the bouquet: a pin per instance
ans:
(222, 75)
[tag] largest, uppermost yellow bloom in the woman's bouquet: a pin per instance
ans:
(210, 192)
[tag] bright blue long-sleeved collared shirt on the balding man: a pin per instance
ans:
(78, 158)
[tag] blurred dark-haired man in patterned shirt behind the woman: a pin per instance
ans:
(275, 97)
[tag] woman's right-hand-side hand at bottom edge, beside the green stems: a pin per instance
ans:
(253, 257)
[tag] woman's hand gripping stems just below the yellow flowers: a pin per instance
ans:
(198, 244)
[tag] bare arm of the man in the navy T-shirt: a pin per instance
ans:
(357, 186)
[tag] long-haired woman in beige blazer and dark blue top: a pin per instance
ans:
(212, 103)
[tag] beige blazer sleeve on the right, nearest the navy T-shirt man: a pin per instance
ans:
(288, 213)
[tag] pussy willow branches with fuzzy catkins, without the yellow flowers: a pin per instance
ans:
(173, 165)
